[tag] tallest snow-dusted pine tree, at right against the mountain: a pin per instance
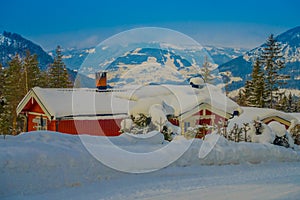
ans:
(273, 63)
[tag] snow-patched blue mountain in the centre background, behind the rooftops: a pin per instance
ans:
(165, 63)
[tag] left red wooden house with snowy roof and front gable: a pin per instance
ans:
(73, 111)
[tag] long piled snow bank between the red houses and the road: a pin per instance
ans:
(36, 162)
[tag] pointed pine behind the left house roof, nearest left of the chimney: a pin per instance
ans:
(58, 76)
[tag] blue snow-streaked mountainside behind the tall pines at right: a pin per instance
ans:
(240, 68)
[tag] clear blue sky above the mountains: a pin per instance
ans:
(86, 23)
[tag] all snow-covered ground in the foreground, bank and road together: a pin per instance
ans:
(49, 165)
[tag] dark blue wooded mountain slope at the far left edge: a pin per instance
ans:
(12, 44)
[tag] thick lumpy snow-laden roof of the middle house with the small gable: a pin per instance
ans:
(183, 98)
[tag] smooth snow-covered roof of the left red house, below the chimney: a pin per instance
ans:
(75, 102)
